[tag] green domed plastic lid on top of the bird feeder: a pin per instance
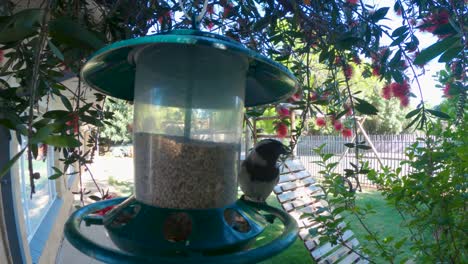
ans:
(111, 70)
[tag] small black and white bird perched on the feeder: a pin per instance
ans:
(259, 171)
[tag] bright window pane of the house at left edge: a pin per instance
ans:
(36, 209)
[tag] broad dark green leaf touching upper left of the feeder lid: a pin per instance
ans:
(70, 32)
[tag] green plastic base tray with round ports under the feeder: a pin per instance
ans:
(148, 234)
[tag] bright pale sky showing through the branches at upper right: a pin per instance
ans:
(431, 94)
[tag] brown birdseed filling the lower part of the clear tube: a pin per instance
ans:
(176, 172)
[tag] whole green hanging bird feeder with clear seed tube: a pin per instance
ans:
(189, 90)
